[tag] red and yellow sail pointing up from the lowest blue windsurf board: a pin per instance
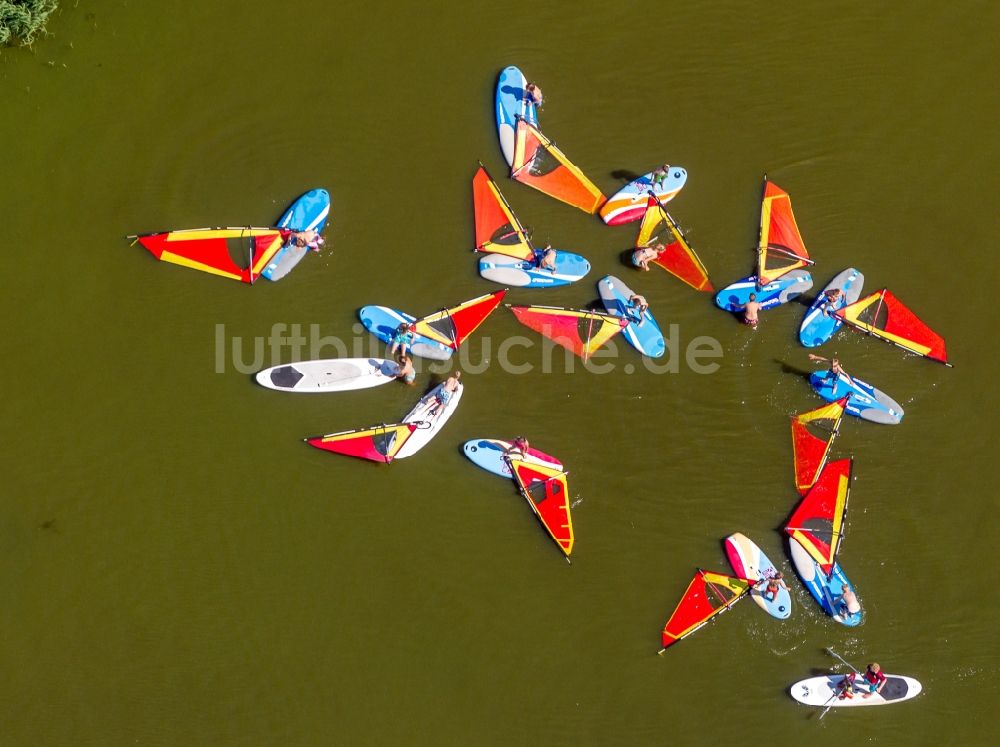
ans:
(818, 522)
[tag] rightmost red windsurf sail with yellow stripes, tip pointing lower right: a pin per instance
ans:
(885, 316)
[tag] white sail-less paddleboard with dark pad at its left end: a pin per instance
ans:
(333, 375)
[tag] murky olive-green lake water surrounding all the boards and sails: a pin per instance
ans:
(178, 568)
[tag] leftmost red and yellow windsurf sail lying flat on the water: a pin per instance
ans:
(236, 253)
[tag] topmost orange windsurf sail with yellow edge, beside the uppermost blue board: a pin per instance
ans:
(540, 164)
